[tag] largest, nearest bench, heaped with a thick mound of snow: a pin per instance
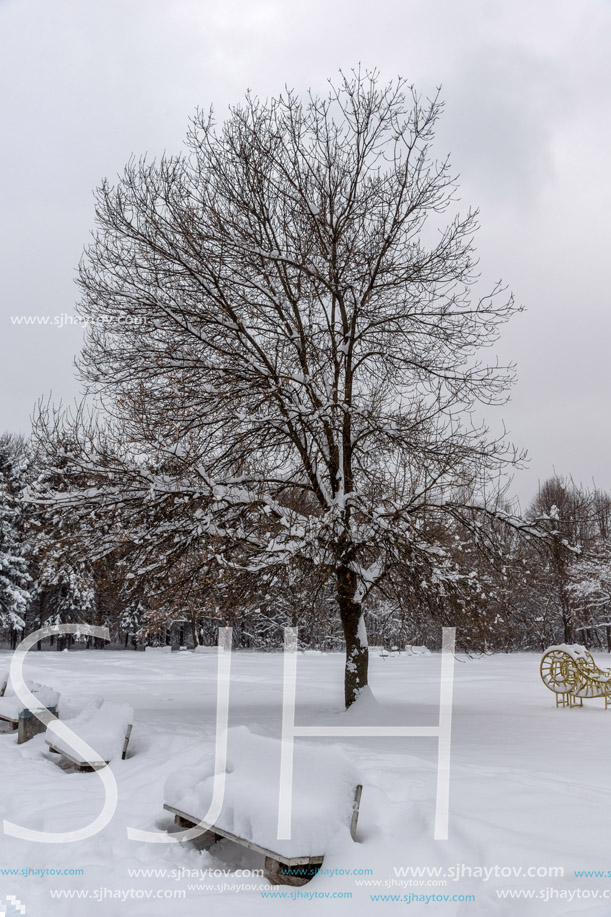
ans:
(325, 800)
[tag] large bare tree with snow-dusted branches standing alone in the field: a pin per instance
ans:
(284, 333)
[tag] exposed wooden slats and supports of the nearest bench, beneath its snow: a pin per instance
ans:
(279, 869)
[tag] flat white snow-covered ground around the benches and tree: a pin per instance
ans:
(530, 790)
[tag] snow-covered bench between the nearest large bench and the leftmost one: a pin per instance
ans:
(104, 726)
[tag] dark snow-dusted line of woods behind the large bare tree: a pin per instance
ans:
(520, 594)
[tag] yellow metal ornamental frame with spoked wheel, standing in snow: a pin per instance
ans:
(571, 673)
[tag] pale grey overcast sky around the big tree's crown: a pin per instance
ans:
(527, 86)
